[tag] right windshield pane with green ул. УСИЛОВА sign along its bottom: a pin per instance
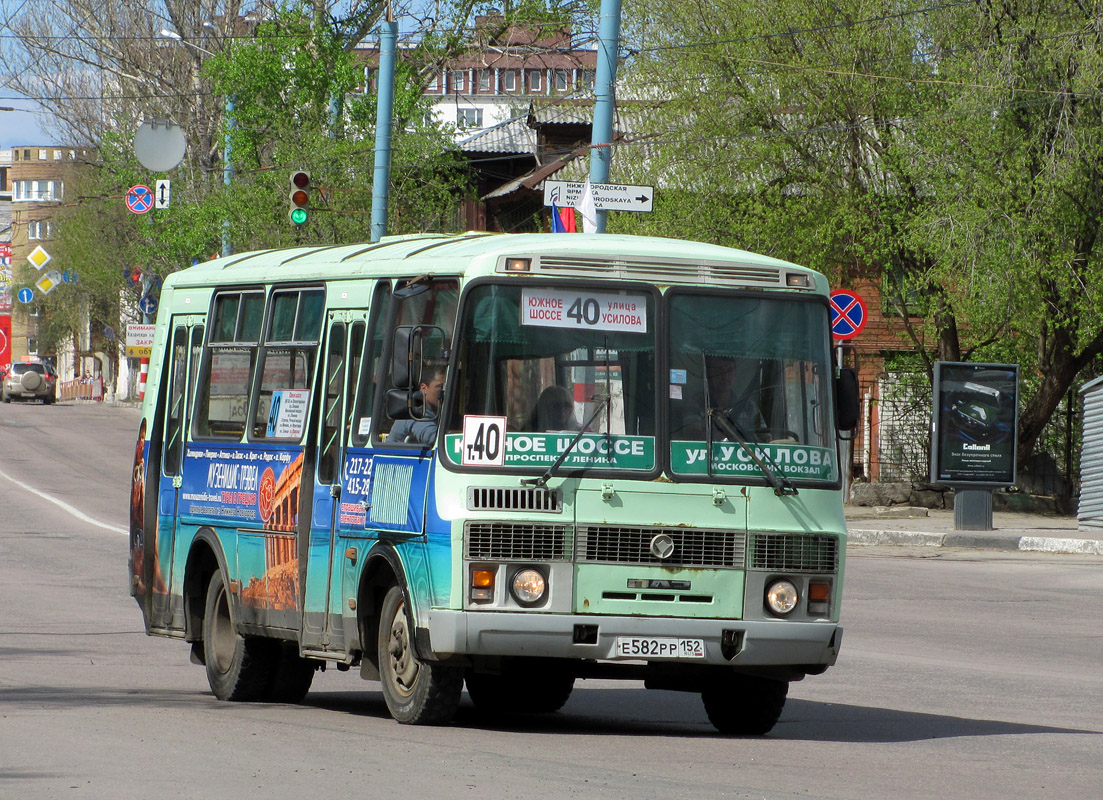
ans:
(756, 367)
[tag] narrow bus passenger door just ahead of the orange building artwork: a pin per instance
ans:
(323, 630)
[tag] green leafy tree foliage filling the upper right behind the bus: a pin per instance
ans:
(950, 153)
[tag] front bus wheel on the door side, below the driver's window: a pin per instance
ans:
(416, 694)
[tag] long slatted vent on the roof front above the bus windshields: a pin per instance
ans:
(666, 272)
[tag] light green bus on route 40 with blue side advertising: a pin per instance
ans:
(501, 462)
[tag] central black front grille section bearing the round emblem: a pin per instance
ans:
(692, 547)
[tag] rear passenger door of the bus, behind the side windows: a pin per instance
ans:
(186, 348)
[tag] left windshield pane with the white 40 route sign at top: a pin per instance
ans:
(552, 362)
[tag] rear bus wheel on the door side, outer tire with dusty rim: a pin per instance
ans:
(239, 668)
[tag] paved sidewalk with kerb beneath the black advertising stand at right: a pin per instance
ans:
(1014, 531)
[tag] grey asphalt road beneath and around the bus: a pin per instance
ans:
(963, 675)
